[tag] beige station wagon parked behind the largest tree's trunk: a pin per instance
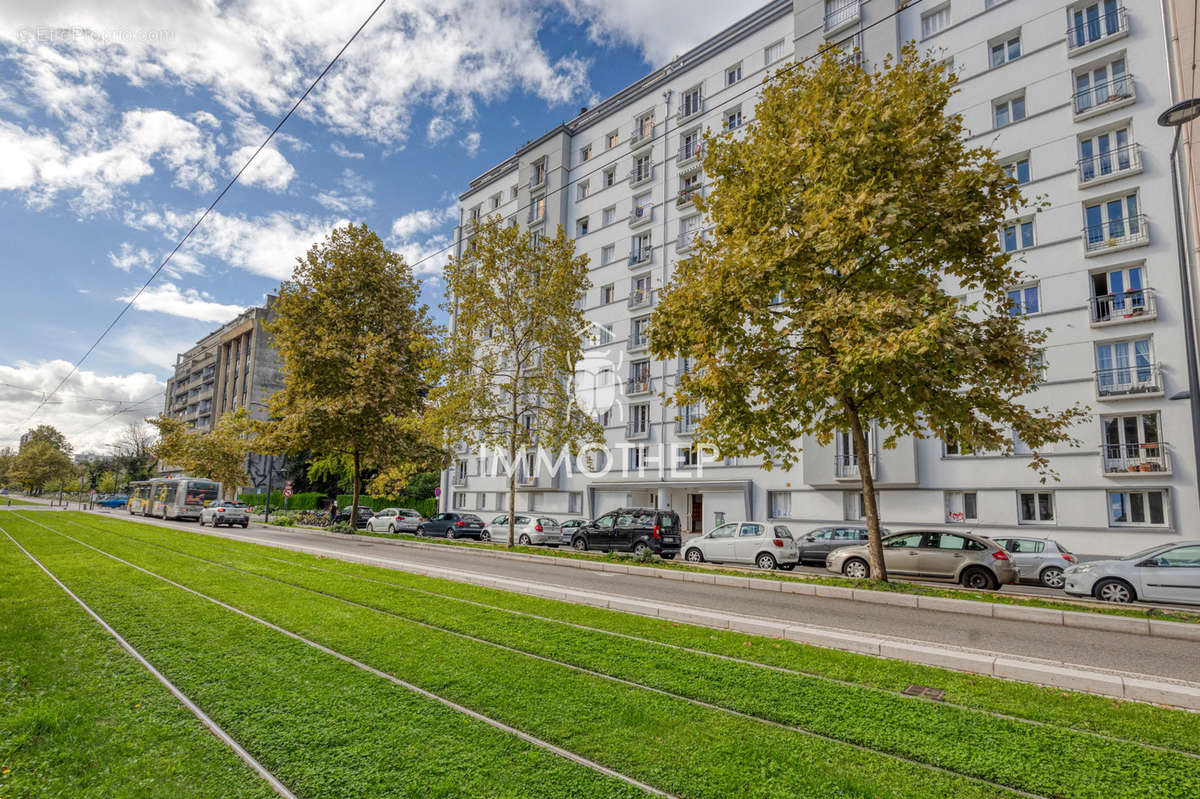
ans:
(964, 558)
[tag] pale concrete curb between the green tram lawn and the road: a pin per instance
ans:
(1137, 688)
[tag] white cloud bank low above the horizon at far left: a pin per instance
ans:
(91, 410)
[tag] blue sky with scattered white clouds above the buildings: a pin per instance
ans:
(121, 122)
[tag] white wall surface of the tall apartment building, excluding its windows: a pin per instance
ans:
(914, 479)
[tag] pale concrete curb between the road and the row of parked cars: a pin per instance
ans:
(946, 605)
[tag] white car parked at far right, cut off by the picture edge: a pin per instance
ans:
(1168, 573)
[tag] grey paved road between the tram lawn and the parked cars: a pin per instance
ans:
(1090, 648)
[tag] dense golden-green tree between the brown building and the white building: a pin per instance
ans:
(356, 340)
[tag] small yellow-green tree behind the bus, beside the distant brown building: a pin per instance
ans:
(219, 455)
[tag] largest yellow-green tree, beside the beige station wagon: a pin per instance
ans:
(851, 218)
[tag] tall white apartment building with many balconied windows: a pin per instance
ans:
(1069, 95)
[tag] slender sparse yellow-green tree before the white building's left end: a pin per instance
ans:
(515, 305)
